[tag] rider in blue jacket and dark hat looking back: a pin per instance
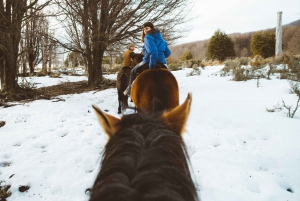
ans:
(155, 51)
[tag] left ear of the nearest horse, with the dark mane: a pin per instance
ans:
(109, 123)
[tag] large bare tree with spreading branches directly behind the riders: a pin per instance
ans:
(93, 25)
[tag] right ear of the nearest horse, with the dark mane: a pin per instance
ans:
(176, 118)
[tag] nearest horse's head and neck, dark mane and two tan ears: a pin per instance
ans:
(145, 158)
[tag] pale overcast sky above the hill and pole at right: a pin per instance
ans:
(241, 16)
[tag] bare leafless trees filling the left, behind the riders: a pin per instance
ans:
(93, 28)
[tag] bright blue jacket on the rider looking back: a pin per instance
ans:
(155, 49)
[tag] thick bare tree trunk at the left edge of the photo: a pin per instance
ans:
(12, 15)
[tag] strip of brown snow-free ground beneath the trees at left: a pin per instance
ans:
(52, 92)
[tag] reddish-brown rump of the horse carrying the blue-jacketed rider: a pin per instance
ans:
(155, 90)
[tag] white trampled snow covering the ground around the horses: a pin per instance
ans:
(238, 150)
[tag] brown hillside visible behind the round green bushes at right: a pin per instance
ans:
(290, 43)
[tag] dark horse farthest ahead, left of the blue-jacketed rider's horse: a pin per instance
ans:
(123, 80)
